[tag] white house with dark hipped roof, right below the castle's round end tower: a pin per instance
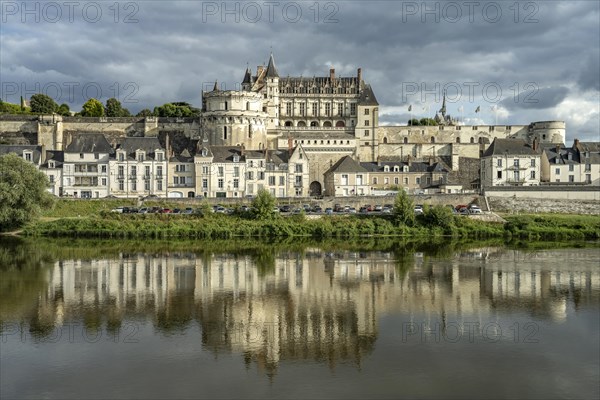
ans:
(510, 162)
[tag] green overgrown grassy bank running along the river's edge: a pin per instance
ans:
(218, 226)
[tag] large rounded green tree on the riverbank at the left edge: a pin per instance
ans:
(22, 192)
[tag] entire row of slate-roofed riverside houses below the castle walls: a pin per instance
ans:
(90, 167)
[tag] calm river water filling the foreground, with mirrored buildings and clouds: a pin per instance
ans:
(227, 320)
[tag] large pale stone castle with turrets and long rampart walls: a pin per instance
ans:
(330, 117)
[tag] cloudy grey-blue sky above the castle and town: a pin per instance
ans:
(518, 61)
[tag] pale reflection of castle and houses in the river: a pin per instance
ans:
(313, 305)
